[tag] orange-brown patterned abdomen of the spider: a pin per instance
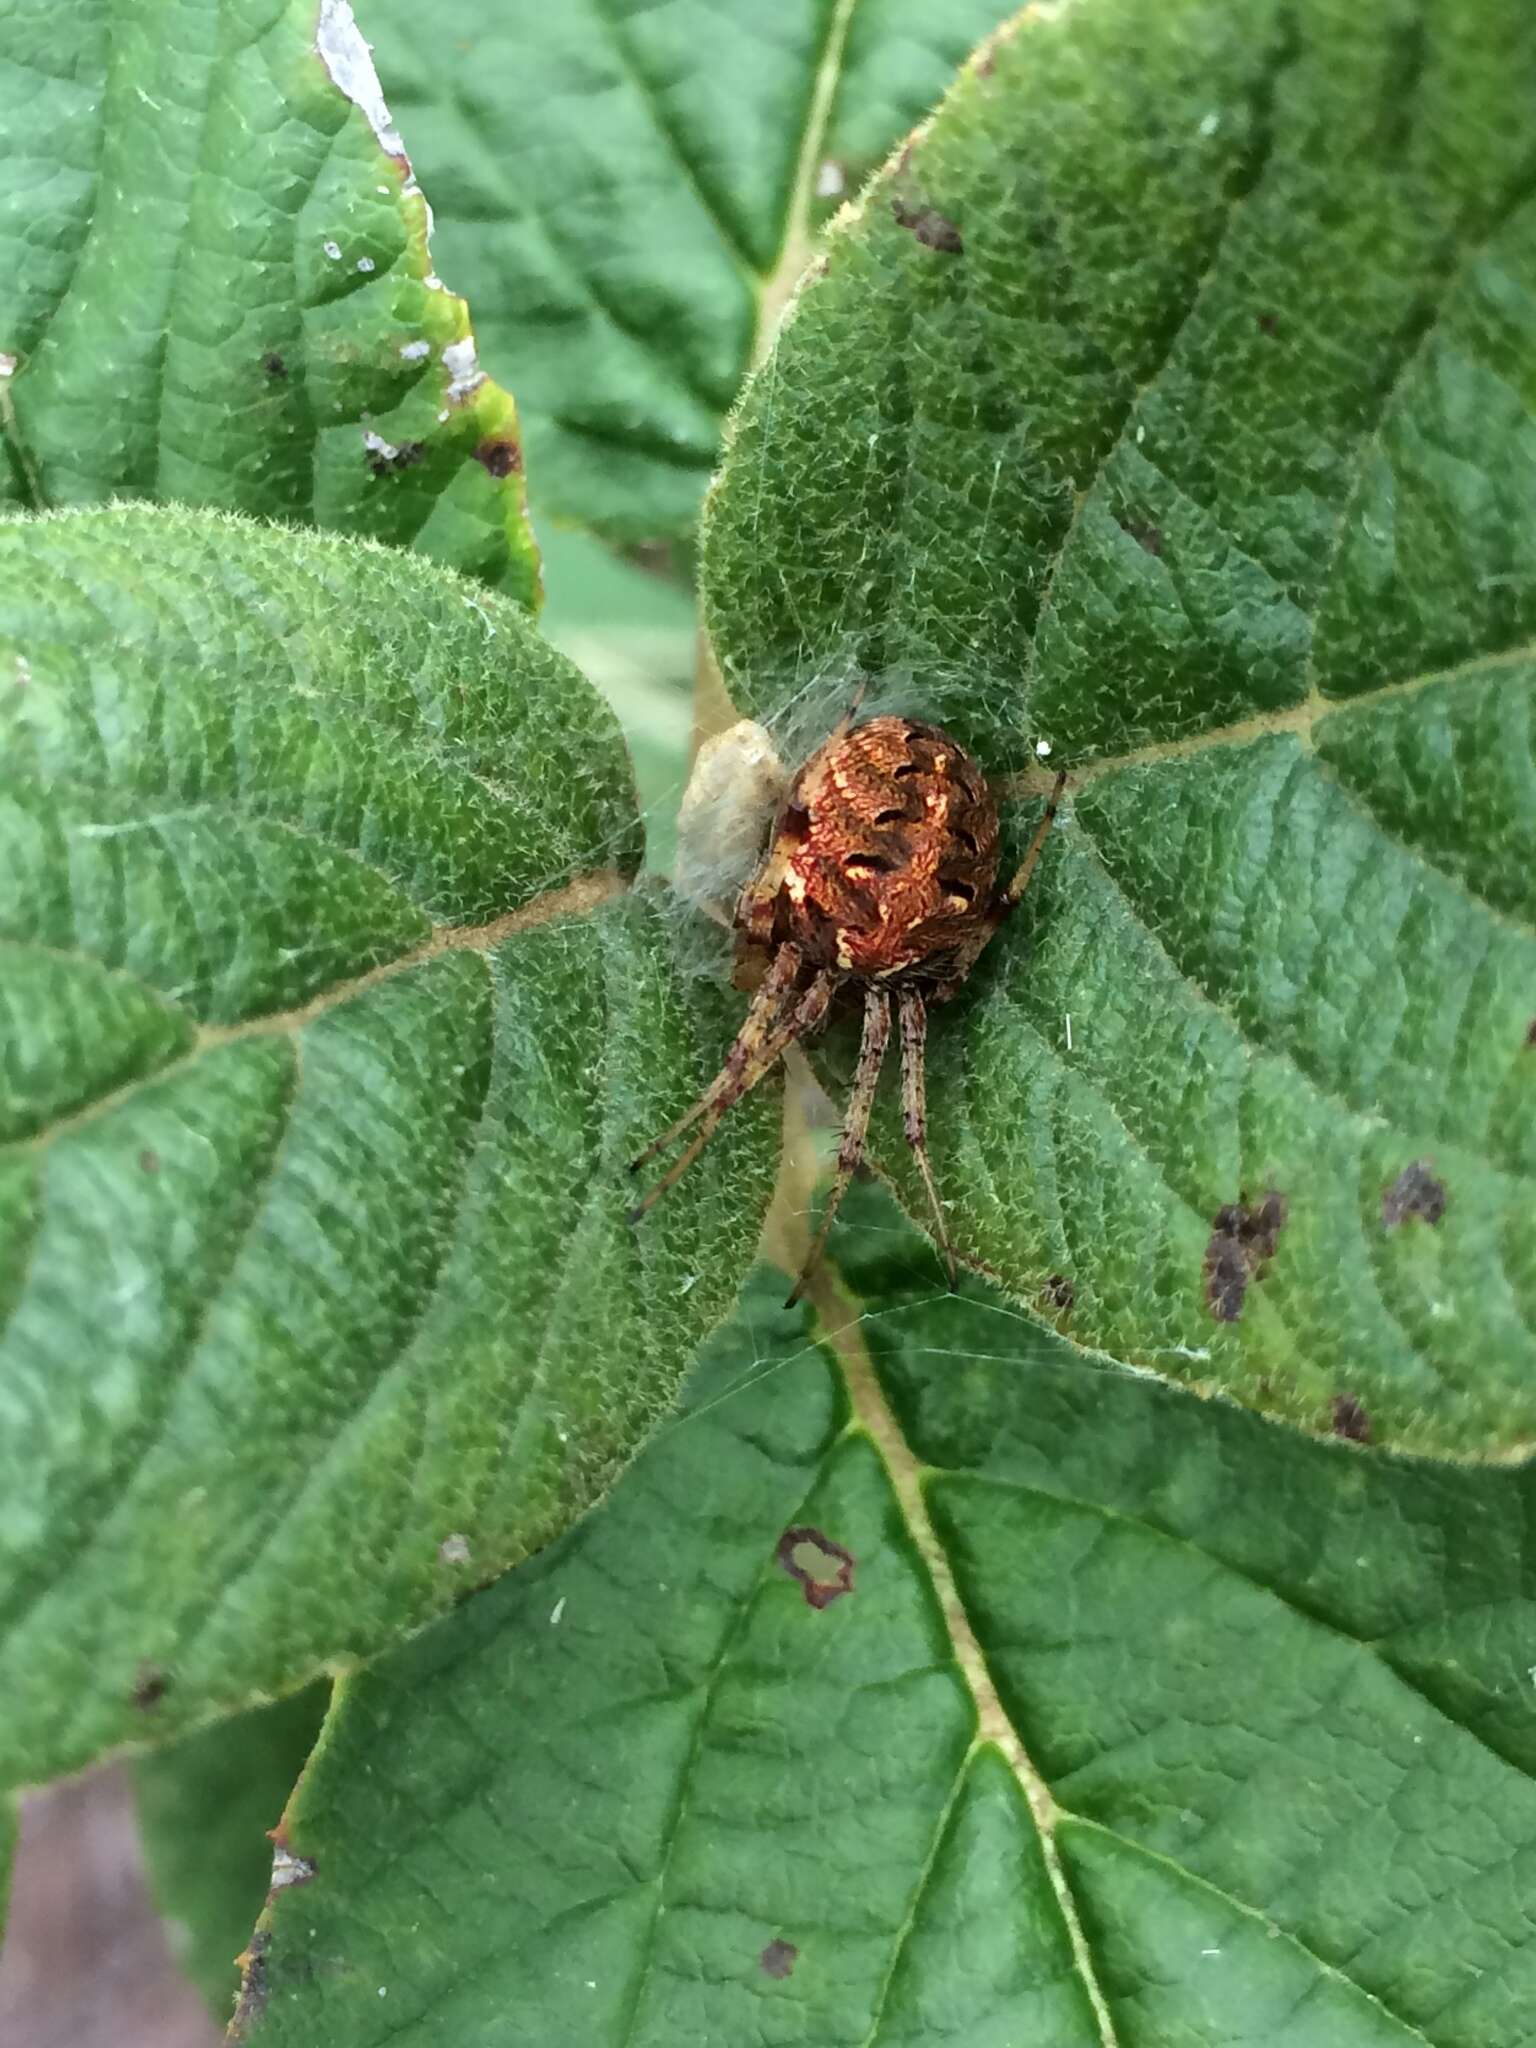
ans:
(884, 861)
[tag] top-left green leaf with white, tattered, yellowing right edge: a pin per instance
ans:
(220, 288)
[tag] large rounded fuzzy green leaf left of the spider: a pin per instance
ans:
(318, 1295)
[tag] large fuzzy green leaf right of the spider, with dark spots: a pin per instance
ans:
(1205, 454)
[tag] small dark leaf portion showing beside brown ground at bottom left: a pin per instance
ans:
(208, 1816)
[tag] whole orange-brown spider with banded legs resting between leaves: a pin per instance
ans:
(882, 876)
